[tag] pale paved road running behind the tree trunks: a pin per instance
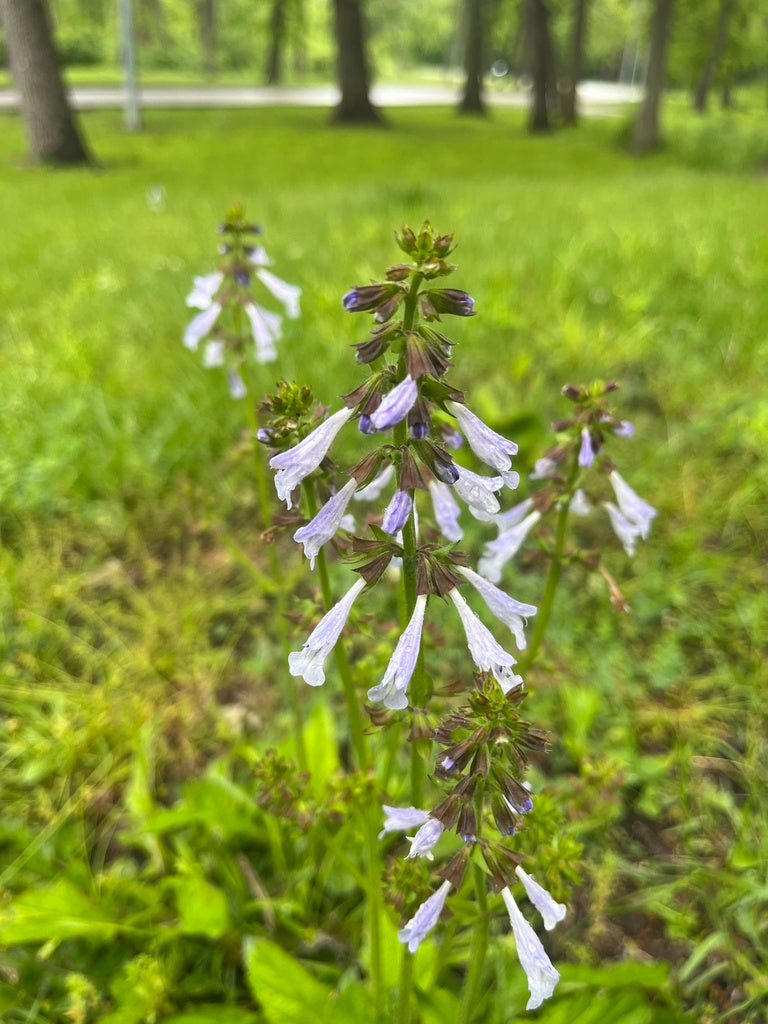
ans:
(596, 99)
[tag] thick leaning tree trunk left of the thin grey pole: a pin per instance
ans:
(52, 125)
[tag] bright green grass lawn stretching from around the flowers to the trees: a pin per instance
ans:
(136, 630)
